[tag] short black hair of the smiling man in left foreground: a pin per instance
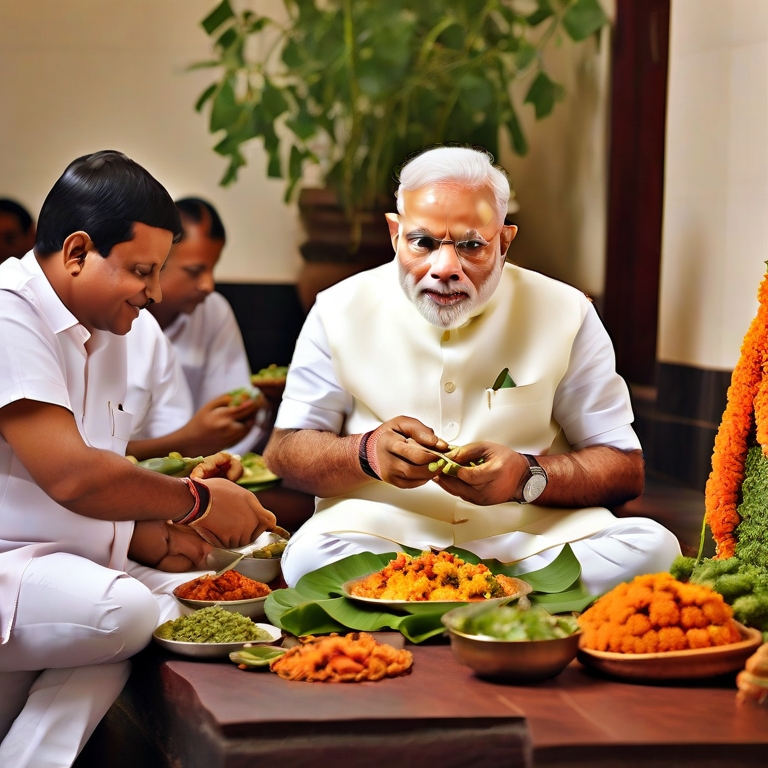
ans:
(104, 194)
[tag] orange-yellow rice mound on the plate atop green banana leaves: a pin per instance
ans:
(435, 576)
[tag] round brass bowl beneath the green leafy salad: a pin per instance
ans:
(514, 661)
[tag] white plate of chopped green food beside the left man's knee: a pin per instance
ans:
(213, 633)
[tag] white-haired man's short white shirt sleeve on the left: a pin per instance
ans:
(313, 398)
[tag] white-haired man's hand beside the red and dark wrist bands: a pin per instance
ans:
(398, 455)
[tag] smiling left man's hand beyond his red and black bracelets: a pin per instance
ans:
(236, 517)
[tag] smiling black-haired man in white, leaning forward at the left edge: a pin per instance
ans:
(76, 518)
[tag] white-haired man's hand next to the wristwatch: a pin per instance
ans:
(495, 481)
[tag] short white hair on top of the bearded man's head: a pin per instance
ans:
(447, 166)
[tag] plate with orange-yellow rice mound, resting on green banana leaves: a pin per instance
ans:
(431, 582)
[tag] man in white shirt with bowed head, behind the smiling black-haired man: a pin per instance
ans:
(201, 325)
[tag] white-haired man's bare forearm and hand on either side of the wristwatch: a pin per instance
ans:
(595, 476)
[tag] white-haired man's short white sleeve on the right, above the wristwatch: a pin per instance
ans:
(592, 402)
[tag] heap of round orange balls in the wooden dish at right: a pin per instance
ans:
(656, 613)
